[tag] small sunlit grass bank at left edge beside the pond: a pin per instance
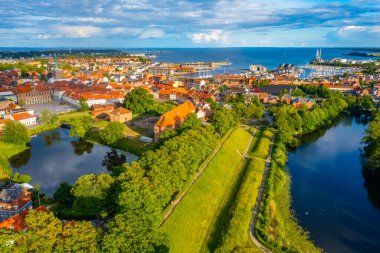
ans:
(8, 150)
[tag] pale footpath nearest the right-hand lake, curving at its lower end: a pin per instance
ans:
(259, 198)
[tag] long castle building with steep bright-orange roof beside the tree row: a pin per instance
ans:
(173, 119)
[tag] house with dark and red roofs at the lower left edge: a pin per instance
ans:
(14, 199)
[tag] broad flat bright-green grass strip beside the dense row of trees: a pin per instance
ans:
(190, 222)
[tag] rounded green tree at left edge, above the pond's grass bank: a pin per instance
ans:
(16, 133)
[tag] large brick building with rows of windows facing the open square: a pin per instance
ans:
(34, 94)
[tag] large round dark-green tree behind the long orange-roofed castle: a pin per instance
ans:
(139, 101)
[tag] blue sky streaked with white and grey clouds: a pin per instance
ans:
(186, 23)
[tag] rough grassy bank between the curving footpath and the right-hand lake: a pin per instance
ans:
(276, 227)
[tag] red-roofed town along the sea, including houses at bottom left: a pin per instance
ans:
(52, 90)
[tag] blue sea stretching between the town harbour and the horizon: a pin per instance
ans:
(239, 57)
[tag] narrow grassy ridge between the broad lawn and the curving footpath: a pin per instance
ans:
(235, 235)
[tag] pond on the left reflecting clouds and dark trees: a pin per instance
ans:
(55, 157)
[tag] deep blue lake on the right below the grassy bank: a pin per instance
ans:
(328, 190)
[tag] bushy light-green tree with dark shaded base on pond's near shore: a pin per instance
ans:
(93, 192)
